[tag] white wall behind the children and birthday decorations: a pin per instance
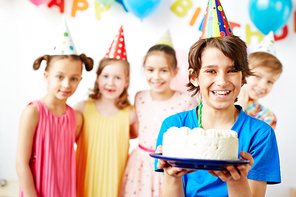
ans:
(27, 32)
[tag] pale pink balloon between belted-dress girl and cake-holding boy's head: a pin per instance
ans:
(180, 81)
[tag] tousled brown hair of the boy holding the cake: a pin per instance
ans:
(231, 46)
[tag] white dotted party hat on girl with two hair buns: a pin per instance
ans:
(64, 44)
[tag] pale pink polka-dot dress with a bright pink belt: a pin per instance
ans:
(139, 177)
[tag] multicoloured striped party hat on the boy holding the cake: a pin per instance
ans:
(215, 23)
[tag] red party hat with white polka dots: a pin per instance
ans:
(117, 48)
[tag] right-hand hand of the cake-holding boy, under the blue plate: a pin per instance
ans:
(235, 173)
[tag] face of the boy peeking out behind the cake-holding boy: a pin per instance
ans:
(261, 83)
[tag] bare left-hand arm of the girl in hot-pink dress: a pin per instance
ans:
(27, 127)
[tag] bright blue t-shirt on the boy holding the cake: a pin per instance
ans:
(254, 136)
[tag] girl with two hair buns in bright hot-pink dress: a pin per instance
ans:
(48, 127)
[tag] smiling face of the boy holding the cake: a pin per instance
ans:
(219, 81)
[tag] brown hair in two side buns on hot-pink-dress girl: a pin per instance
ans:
(87, 61)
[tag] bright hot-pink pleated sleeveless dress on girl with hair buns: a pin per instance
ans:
(53, 156)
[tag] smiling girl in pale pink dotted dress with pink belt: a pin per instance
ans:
(152, 107)
